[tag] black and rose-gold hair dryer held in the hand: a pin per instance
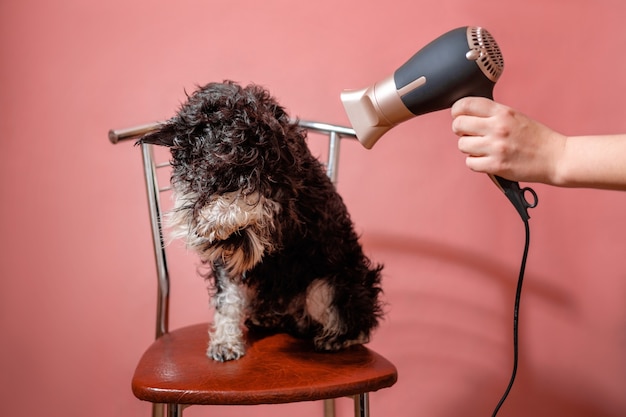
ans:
(463, 62)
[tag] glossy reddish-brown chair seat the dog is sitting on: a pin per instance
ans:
(276, 369)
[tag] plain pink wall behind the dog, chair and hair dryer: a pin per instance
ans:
(77, 292)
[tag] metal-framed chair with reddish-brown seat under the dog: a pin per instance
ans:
(174, 372)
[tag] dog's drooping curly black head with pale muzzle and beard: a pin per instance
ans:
(236, 158)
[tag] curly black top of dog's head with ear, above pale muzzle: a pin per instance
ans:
(227, 138)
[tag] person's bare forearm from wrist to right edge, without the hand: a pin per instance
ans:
(592, 162)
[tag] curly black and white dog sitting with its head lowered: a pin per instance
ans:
(258, 208)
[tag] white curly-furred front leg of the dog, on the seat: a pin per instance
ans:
(226, 341)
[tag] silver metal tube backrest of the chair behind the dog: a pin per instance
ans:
(333, 133)
